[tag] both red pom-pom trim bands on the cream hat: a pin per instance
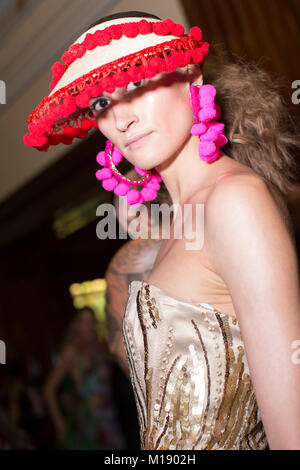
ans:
(64, 115)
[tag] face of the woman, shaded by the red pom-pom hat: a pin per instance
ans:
(159, 106)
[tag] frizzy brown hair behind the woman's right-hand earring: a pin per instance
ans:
(260, 128)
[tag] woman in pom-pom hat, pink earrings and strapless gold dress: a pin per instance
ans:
(210, 334)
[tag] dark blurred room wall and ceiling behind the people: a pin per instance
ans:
(48, 201)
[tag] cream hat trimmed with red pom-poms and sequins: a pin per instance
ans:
(108, 56)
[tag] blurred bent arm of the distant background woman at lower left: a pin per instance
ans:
(51, 385)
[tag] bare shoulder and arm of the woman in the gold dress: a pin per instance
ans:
(253, 252)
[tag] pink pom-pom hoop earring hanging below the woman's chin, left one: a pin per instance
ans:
(113, 180)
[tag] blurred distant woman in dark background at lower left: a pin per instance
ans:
(87, 418)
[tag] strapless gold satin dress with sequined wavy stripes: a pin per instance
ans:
(189, 374)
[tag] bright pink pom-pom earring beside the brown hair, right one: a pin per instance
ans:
(206, 114)
